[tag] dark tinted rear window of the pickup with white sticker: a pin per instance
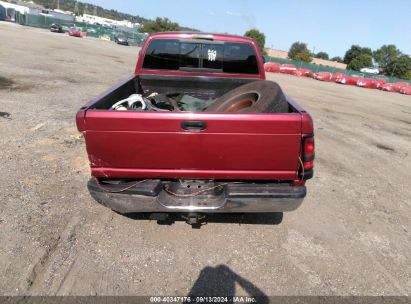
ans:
(171, 54)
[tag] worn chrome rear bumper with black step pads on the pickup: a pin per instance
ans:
(233, 198)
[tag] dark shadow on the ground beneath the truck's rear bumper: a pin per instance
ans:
(229, 218)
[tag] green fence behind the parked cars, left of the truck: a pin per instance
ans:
(92, 30)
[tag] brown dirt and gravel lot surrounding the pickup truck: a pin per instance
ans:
(350, 237)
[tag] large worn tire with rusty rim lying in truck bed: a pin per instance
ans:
(260, 96)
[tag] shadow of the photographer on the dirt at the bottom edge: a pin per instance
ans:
(221, 281)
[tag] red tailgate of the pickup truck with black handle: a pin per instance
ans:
(155, 145)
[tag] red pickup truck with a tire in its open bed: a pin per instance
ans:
(197, 129)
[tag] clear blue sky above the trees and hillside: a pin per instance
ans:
(331, 26)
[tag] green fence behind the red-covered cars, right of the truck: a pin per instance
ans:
(323, 68)
